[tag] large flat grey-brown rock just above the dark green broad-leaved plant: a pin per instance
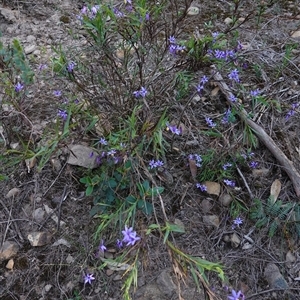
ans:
(85, 156)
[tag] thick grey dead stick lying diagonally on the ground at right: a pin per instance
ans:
(287, 165)
